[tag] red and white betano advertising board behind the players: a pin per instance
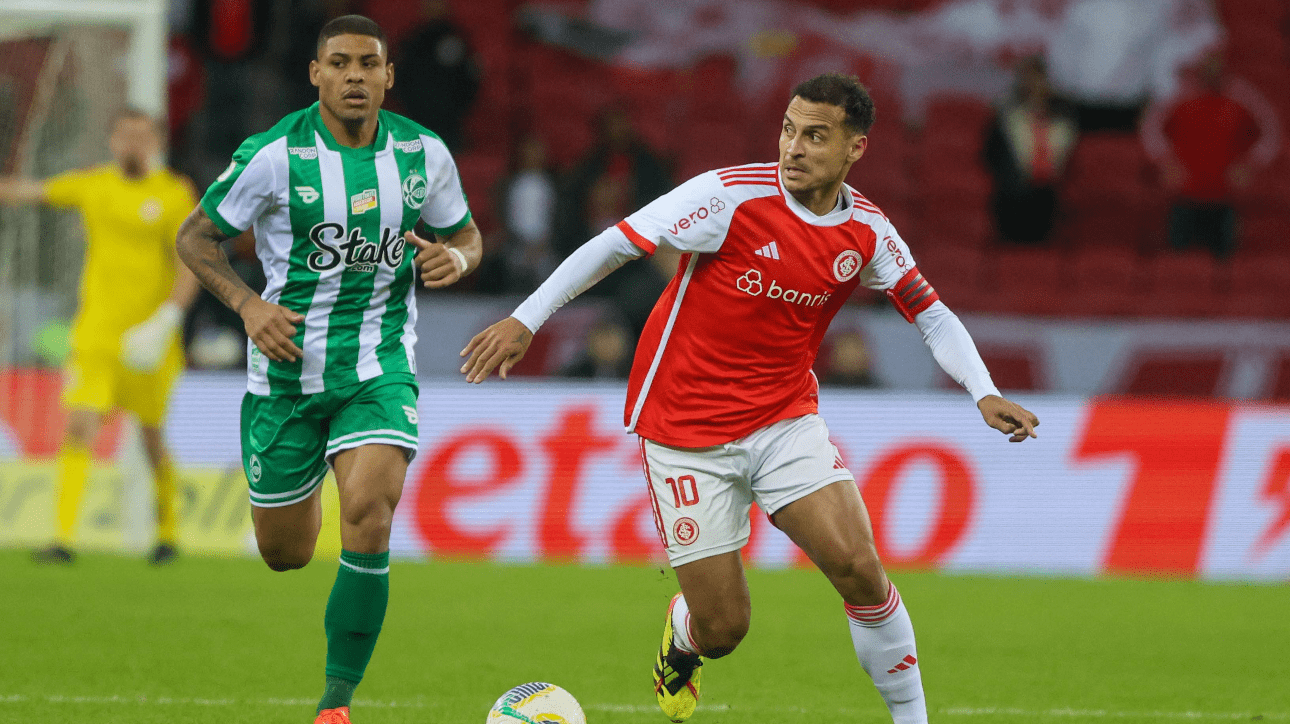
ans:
(544, 472)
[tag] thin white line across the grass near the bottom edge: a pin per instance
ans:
(1070, 714)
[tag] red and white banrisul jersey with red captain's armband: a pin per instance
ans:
(731, 344)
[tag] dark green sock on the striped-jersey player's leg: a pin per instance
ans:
(354, 615)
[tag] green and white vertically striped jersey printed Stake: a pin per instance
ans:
(330, 223)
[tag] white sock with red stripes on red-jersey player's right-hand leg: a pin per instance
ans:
(884, 643)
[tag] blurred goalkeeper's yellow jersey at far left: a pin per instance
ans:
(131, 226)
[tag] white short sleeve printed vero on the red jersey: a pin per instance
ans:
(693, 217)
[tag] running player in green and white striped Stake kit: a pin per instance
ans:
(333, 194)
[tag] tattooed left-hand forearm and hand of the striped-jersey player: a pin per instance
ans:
(269, 326)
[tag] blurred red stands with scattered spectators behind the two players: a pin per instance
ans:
(1110, 157)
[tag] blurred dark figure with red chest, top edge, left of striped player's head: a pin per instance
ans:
(230, 34)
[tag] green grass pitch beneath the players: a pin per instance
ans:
(113, 641)
